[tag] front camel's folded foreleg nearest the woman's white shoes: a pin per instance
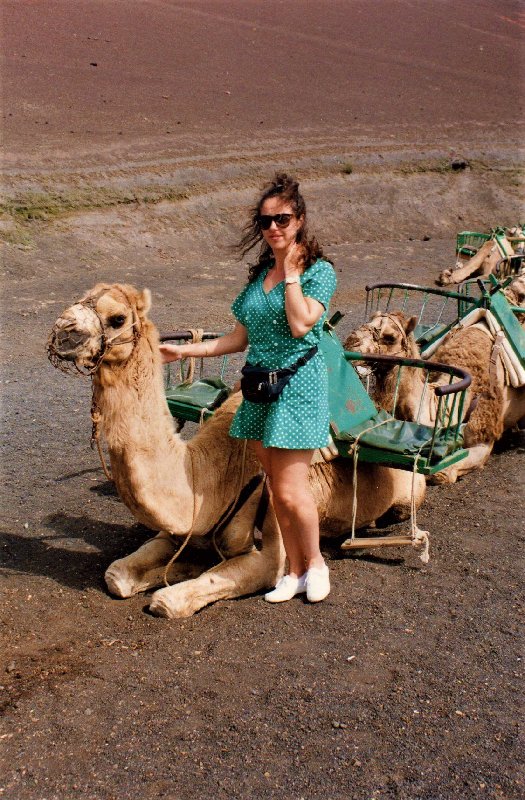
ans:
(244, 574)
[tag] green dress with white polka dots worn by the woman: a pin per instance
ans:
(299, 418)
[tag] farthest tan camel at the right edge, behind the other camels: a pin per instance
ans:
(485, 261)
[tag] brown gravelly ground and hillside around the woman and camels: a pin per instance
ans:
(405, 683)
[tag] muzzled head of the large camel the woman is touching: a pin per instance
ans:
(101, 328)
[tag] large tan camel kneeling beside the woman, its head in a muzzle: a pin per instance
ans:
(183, 488)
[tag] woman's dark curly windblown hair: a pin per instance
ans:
(287, 189)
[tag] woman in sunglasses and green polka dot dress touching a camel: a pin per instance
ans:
(279, 316)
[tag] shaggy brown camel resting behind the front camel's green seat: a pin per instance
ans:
(491, 406)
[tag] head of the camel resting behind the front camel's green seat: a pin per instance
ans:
(385, 334)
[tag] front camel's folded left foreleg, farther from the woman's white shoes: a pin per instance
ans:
(144, 569)
